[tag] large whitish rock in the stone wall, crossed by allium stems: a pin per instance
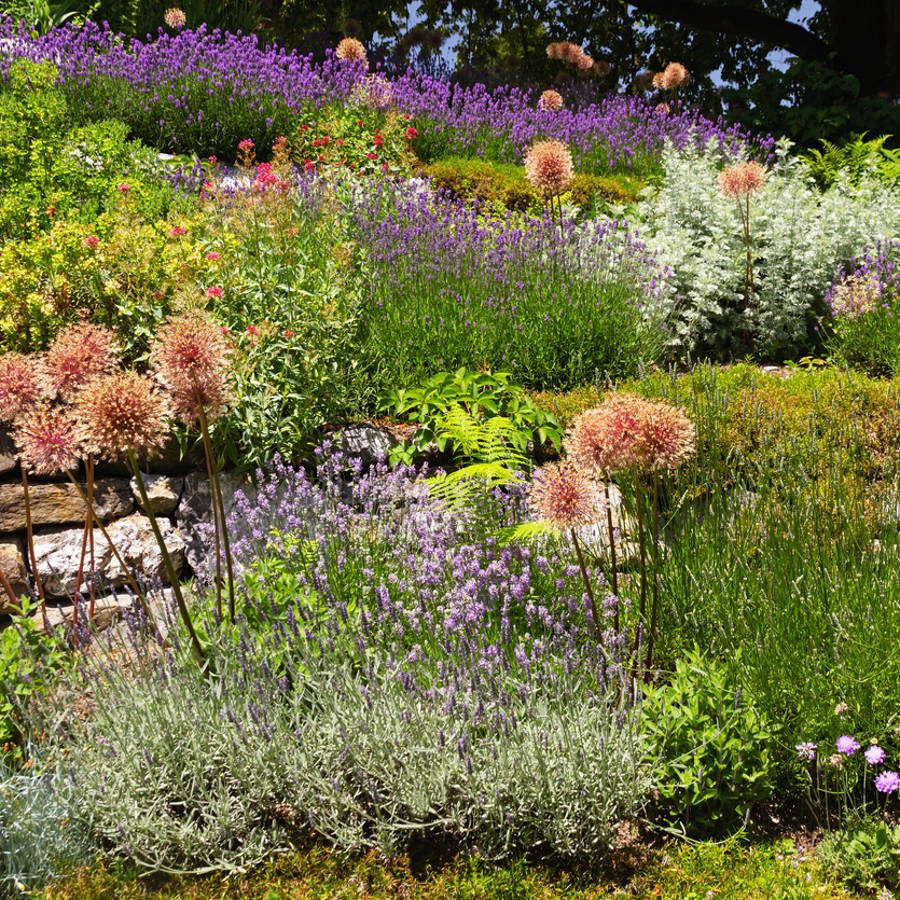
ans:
(59, 552)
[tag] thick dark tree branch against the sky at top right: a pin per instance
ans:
(741, 22)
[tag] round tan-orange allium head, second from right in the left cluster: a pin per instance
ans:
(119, 413)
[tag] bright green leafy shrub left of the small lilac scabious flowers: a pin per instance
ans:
(710, 744)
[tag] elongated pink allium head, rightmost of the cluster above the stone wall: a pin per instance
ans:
(191, 358)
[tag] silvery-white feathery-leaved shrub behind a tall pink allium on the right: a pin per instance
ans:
(799, 236)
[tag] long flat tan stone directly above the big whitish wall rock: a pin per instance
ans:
(60, 504)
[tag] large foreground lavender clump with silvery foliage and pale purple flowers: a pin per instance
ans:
(399, 679)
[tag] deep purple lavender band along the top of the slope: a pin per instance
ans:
(201, 92)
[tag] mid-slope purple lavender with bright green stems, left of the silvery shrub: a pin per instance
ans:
(554, 305)
